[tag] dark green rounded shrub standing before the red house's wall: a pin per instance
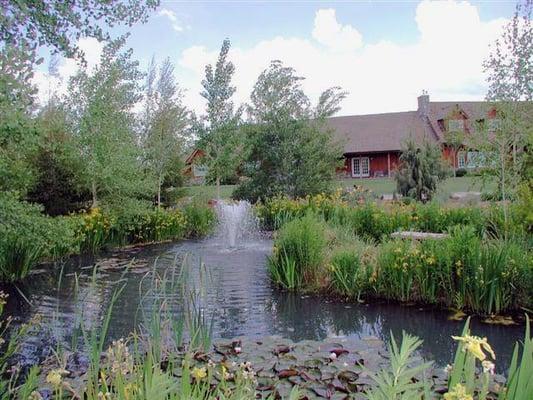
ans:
(420, 171)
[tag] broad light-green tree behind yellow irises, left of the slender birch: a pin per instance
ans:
(101, 103)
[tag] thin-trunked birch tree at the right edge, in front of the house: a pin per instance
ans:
(507, 143)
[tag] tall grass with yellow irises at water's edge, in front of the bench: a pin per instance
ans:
(463, 271)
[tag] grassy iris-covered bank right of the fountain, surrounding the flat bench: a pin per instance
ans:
(326, 244)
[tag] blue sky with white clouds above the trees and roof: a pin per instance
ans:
(383, 53)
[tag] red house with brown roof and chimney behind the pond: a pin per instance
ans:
(372, 143)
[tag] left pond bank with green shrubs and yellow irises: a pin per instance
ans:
(28, 237)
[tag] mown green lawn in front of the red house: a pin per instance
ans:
(377, 185)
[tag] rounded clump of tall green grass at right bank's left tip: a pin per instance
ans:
(298, 252)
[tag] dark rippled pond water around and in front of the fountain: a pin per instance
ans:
(238, 297)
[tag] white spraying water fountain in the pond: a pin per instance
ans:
(236, 222)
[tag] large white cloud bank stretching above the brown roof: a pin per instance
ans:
(380, 77)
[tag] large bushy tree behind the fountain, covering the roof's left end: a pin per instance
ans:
(290, 148)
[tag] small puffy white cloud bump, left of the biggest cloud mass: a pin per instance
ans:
(334, 35)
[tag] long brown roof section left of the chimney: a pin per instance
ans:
(379, 132)
